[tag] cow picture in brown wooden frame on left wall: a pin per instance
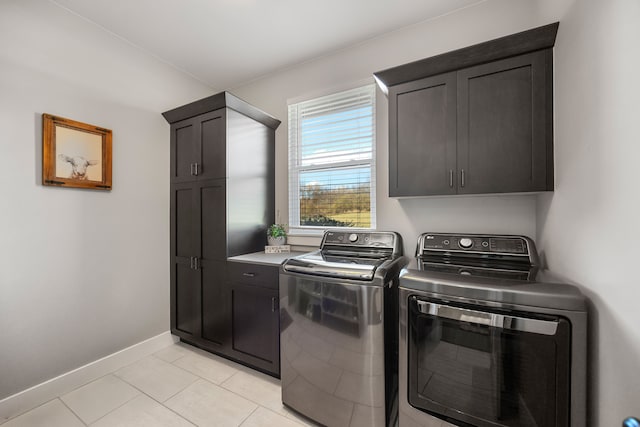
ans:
(75, 154)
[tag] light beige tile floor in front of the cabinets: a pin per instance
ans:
(177, 386)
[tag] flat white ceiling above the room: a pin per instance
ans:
(226, 43)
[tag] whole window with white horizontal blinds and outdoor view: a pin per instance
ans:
(332, 161)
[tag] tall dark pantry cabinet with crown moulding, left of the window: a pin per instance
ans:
(222, 201)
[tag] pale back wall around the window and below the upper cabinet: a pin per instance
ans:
(410, 217)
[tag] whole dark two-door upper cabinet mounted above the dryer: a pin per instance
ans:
(474, 121)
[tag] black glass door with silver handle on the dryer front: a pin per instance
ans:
(488, 368)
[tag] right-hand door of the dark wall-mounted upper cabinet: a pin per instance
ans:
(505, 125)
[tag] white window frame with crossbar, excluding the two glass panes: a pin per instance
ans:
(295, 168)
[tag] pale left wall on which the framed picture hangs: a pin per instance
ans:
(83, 273)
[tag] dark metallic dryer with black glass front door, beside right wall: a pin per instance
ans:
(486, 339)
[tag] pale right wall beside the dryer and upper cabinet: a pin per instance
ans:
(588, 228)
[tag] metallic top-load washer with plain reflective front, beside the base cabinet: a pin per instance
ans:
(338, 329)
